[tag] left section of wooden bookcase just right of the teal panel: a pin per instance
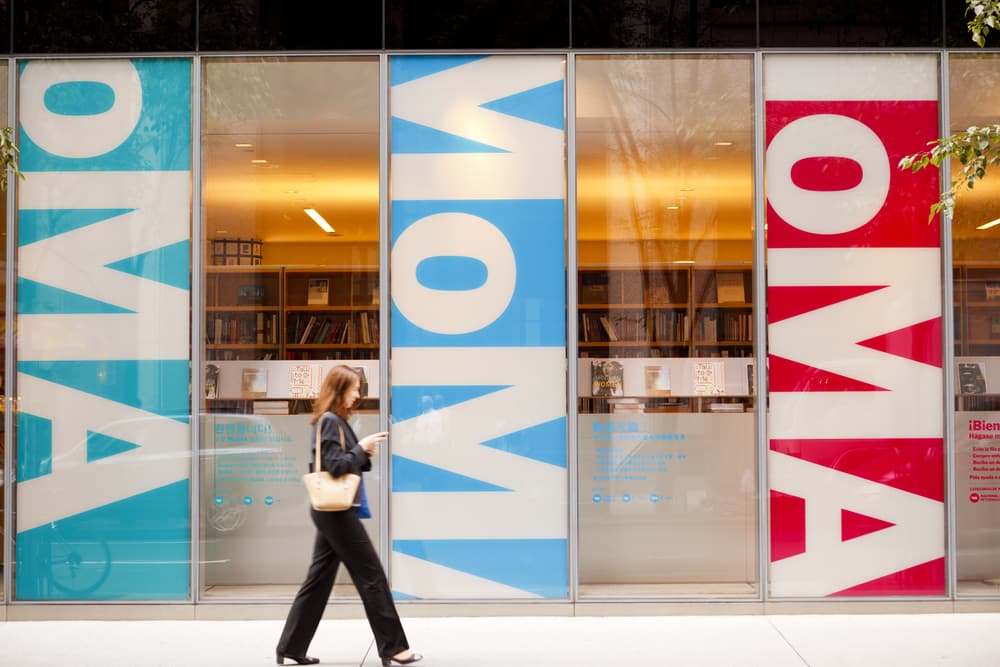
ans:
(242, 313)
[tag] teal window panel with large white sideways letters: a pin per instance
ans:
(103, 436)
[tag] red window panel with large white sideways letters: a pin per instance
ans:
(855, 404)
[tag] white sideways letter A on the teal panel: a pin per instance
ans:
(75, 485)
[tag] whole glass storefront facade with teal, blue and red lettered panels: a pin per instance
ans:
(649, 309)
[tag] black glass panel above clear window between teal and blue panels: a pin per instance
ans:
(264, 25)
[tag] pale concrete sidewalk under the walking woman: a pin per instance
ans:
(912, 640)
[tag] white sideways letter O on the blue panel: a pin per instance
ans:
(445, 311)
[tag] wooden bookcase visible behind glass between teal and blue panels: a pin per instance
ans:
(267, 313)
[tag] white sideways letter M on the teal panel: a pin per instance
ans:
(159, 327)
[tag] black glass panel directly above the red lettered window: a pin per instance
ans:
(854, 23)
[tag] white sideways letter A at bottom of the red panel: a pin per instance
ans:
(830, 564)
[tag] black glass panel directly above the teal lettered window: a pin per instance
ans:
(56, 26)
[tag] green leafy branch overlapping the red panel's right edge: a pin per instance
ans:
(976, 149)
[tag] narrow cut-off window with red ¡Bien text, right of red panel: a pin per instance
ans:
(976, 280)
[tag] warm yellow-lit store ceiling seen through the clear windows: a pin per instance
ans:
(685, 170)
